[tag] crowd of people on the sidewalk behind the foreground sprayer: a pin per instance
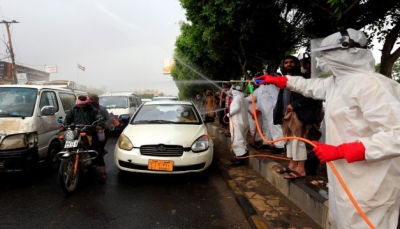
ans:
(279, 113)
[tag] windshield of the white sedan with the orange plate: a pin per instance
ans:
(166, 113)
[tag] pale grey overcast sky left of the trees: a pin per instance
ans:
(121, 43)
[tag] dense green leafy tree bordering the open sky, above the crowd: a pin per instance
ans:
(234, 35)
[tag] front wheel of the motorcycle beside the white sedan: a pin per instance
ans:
(68, 181)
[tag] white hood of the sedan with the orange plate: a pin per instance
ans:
(177, 134)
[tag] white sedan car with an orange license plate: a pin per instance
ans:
(165, 137)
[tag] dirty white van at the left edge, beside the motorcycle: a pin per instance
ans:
(29, 123)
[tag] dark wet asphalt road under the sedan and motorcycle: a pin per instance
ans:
(124, 200)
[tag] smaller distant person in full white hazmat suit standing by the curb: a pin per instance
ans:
(238, 124)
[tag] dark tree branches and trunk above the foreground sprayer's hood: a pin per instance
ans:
(320, 18)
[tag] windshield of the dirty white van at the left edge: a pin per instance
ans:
(17, 102)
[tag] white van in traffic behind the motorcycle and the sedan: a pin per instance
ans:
(121, 104)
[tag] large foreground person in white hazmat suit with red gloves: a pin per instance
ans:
(362, 130)
